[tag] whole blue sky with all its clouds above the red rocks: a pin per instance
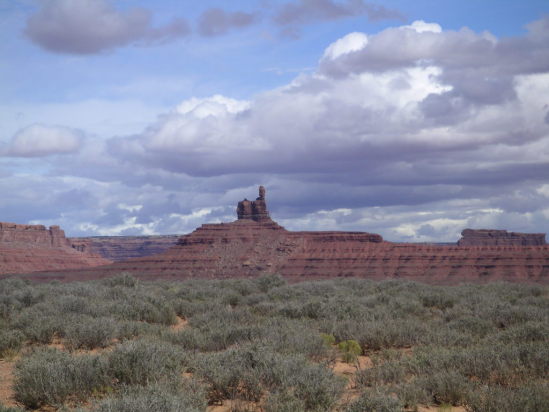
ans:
(411, 119)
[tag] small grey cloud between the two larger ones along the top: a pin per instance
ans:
(215, 22)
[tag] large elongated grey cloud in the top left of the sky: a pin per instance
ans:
(92, 26)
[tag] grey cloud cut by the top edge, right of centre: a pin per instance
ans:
(308, 11)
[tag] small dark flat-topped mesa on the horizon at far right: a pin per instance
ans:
(488, 237)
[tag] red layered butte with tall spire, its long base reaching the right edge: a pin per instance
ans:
(254, 244)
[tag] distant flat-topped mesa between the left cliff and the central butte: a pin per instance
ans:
(118, 248)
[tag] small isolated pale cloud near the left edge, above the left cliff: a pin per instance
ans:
(41, 140)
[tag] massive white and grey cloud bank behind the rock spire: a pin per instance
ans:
(414, 132)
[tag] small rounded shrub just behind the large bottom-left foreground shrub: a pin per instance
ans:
(90, 333)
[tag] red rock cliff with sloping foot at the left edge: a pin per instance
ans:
(32, 248)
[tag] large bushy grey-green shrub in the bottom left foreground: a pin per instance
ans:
(49, 377)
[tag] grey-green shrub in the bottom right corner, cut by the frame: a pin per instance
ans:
(530, 398)
